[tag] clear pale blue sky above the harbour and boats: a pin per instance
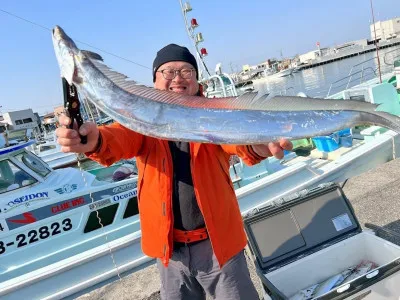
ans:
(235, 33)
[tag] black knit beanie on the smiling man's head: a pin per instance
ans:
(173, 52)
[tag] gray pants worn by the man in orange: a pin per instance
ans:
(193, 272)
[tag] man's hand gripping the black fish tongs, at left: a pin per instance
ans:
(70, 140)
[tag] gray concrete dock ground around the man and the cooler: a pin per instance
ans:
(374, 195)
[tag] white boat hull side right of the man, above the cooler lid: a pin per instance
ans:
(305, 172)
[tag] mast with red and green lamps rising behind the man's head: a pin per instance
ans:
(195, 38)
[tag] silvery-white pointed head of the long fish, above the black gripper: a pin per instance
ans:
(66, 53)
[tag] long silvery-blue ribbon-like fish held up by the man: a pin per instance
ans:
(243, 120)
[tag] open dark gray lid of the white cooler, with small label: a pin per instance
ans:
(299, 224)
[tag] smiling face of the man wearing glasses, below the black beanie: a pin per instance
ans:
(178, 84)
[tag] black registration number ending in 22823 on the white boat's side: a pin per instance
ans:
(35, 235)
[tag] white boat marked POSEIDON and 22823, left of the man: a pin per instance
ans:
(59, 227)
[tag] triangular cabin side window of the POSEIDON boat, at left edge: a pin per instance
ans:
(12, 177)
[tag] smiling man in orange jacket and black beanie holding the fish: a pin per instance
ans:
(190, 218)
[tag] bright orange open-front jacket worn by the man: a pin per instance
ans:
(212, 186)
